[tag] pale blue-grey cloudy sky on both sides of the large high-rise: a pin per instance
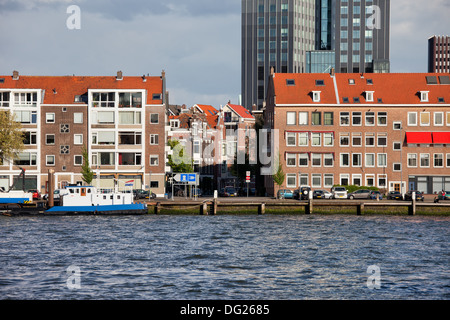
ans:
(197, 42)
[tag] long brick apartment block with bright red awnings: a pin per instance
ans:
(390, 131)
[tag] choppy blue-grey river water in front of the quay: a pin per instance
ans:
(224, 257)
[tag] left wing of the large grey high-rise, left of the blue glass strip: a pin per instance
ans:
(274, 34)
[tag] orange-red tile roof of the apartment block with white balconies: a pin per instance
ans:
(67, 87)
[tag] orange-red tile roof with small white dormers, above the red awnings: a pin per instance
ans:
(391, 88)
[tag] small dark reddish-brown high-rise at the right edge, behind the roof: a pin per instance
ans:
(439, 54)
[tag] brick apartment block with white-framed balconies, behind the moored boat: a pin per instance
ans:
(120, 121)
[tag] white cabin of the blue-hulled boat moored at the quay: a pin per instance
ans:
(81, 196)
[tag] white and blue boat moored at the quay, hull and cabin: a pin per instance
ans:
(86, 200)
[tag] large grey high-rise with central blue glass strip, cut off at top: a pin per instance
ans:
(304, 36)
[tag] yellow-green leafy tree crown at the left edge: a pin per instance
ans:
(11, 137)
